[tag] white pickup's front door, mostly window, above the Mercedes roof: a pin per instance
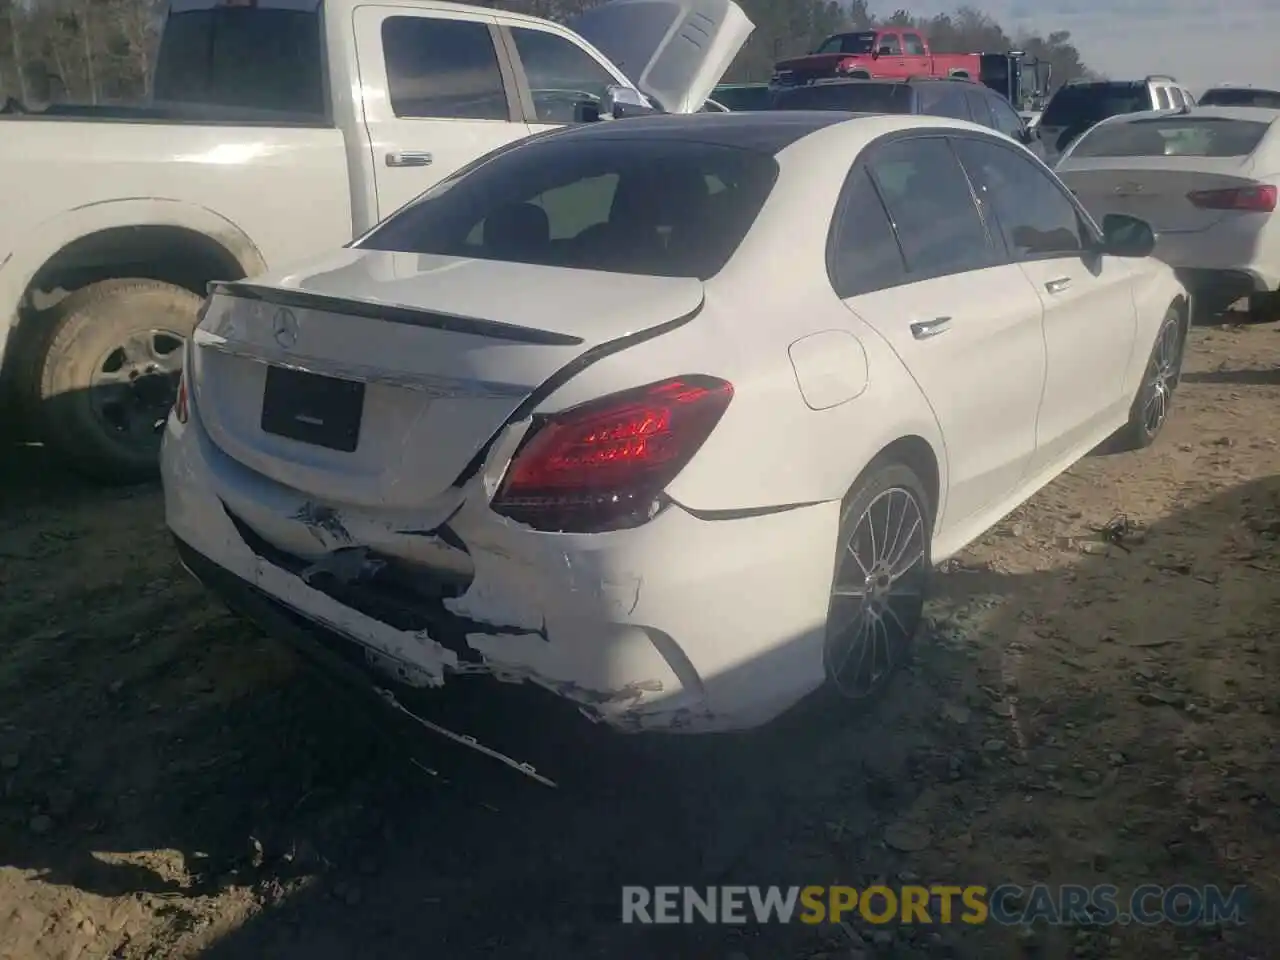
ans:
(556, 75)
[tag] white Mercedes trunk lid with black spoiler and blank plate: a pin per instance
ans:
(377, 378)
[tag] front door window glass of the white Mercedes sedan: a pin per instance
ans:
(1035, 214)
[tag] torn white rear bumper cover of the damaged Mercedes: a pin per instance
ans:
(683, 625)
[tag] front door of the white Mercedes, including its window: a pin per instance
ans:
(1090, 317)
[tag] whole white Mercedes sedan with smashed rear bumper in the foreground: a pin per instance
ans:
(670, 417)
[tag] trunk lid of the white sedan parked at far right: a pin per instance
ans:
(1155, 189)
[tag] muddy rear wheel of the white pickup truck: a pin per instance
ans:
(107, 376)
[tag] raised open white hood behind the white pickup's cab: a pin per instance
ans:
(674, 51)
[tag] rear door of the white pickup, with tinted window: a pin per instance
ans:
(437, 93)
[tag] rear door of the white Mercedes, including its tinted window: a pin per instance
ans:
(915, 260)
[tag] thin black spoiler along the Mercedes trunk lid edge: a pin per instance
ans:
(395, 314)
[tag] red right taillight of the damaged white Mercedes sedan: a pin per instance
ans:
(601, 465)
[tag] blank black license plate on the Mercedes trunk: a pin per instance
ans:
(323, 412)
